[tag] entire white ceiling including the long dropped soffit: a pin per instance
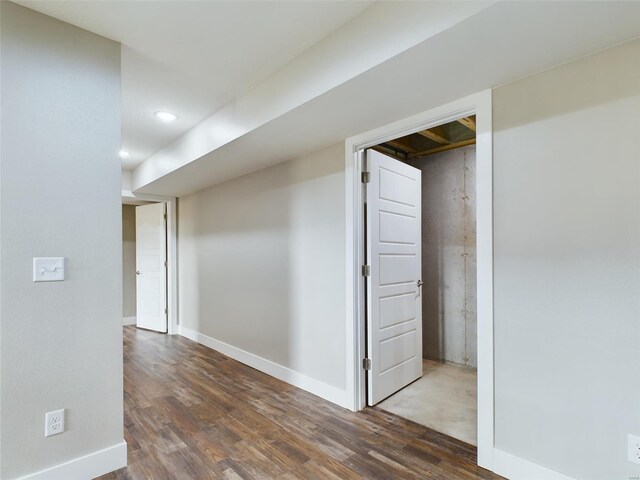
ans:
(251, 80)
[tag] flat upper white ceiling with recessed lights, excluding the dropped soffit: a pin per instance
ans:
(193, 57)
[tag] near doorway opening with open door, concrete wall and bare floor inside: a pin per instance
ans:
(427, 324)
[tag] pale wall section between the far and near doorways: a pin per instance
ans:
(262, 264)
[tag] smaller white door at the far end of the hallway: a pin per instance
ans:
(151, 270)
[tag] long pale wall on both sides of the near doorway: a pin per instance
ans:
(262, 264)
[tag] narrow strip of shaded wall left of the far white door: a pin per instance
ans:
(128, 261)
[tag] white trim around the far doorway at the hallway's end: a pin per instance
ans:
(172, 252)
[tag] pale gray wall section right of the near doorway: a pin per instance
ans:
(567, 265)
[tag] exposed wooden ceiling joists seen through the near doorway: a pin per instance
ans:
(456, 134)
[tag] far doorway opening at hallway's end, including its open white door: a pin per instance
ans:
(146, 268)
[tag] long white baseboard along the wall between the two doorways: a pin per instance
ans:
(297, 379)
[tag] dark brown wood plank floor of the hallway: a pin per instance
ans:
(192, 413)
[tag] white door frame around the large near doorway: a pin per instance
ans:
(479, 104)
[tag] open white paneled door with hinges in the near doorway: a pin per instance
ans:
(394, 304)
